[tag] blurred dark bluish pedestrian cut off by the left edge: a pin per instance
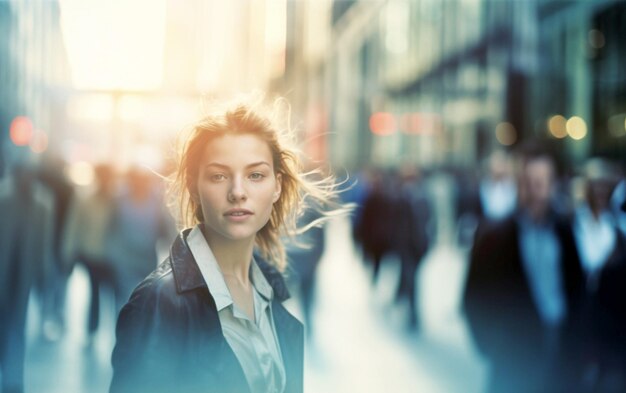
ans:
(25, 253)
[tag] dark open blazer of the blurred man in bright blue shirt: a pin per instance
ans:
(501, 314)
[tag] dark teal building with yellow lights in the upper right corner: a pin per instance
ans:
(583, 54)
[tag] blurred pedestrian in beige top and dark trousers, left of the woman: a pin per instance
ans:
(87, 235)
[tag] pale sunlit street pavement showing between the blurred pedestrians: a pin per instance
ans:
(359, 342)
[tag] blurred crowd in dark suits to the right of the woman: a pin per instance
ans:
(544, 297)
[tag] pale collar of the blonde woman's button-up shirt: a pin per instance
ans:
(212, 274)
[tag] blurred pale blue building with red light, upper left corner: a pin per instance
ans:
(33, 72)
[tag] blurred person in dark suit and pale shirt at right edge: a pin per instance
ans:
(601, 248)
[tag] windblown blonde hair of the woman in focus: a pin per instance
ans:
(251, 115)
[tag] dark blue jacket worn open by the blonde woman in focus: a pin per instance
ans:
(169, 338)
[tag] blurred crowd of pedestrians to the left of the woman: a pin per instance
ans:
(111, 226)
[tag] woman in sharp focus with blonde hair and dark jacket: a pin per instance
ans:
(210, 318)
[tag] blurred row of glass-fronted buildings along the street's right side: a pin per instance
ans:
(444, 83)
